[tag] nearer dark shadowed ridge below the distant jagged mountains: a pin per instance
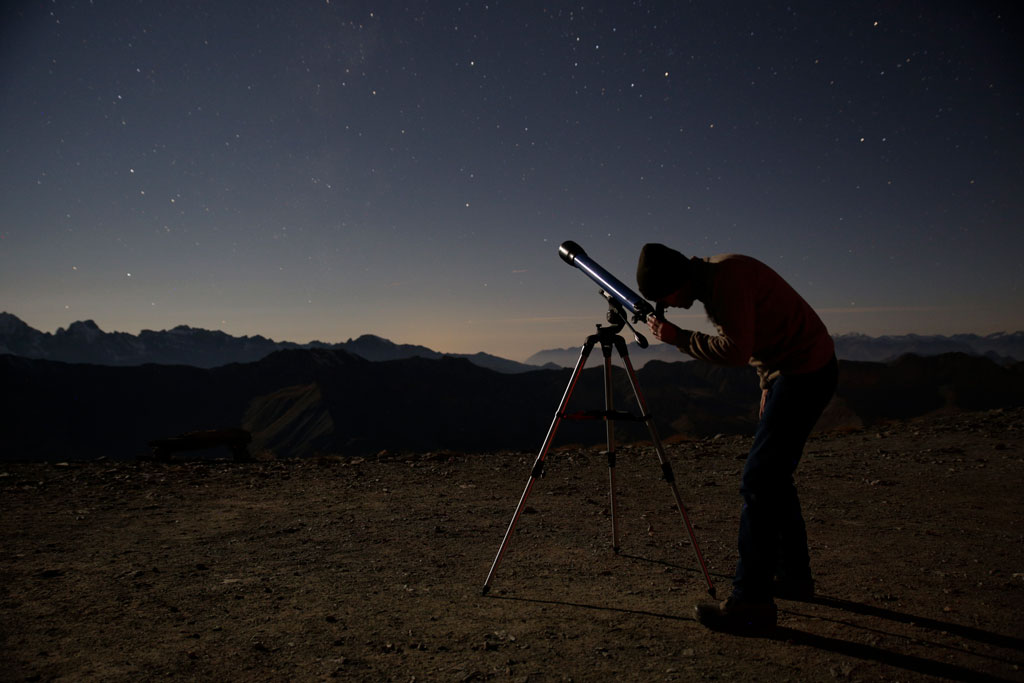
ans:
(309, 402)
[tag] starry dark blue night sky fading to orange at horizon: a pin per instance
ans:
(325, 169)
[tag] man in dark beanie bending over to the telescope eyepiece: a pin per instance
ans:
(761, 321)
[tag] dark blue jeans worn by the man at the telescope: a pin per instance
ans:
(773, 537)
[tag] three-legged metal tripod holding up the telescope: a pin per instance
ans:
(607, 337)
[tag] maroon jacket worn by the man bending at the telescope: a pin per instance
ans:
(760, 319)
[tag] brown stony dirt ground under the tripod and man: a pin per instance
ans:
(372, 569)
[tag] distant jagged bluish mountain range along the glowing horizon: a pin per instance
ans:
(86, 343)
